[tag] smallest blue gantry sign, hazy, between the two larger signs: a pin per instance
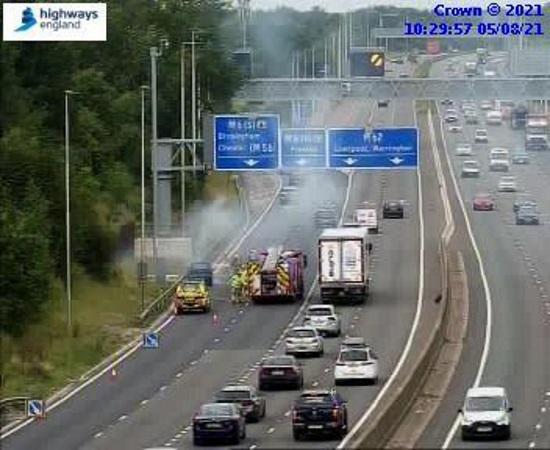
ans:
(303, 148)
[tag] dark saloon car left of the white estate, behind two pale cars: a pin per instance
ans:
(280, 371)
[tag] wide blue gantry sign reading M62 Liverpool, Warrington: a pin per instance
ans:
(378, 148)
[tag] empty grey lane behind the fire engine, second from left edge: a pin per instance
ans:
(241, 347)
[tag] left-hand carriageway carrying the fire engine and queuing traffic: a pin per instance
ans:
(152, 398)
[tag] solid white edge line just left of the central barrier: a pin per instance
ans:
(419, 302)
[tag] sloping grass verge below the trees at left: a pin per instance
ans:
(47, 357)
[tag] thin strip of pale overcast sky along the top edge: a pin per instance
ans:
(349, 5)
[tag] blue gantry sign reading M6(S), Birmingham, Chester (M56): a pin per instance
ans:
(246, 142)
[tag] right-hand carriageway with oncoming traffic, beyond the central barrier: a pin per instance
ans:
(517, 268)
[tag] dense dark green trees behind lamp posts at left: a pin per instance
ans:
(105, 138)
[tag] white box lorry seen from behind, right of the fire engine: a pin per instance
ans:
(344, 264)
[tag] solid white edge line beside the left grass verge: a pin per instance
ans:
(137, 343)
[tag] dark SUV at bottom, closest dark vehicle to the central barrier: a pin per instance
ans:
(319, 412)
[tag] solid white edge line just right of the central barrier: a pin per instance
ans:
(487, 291)
